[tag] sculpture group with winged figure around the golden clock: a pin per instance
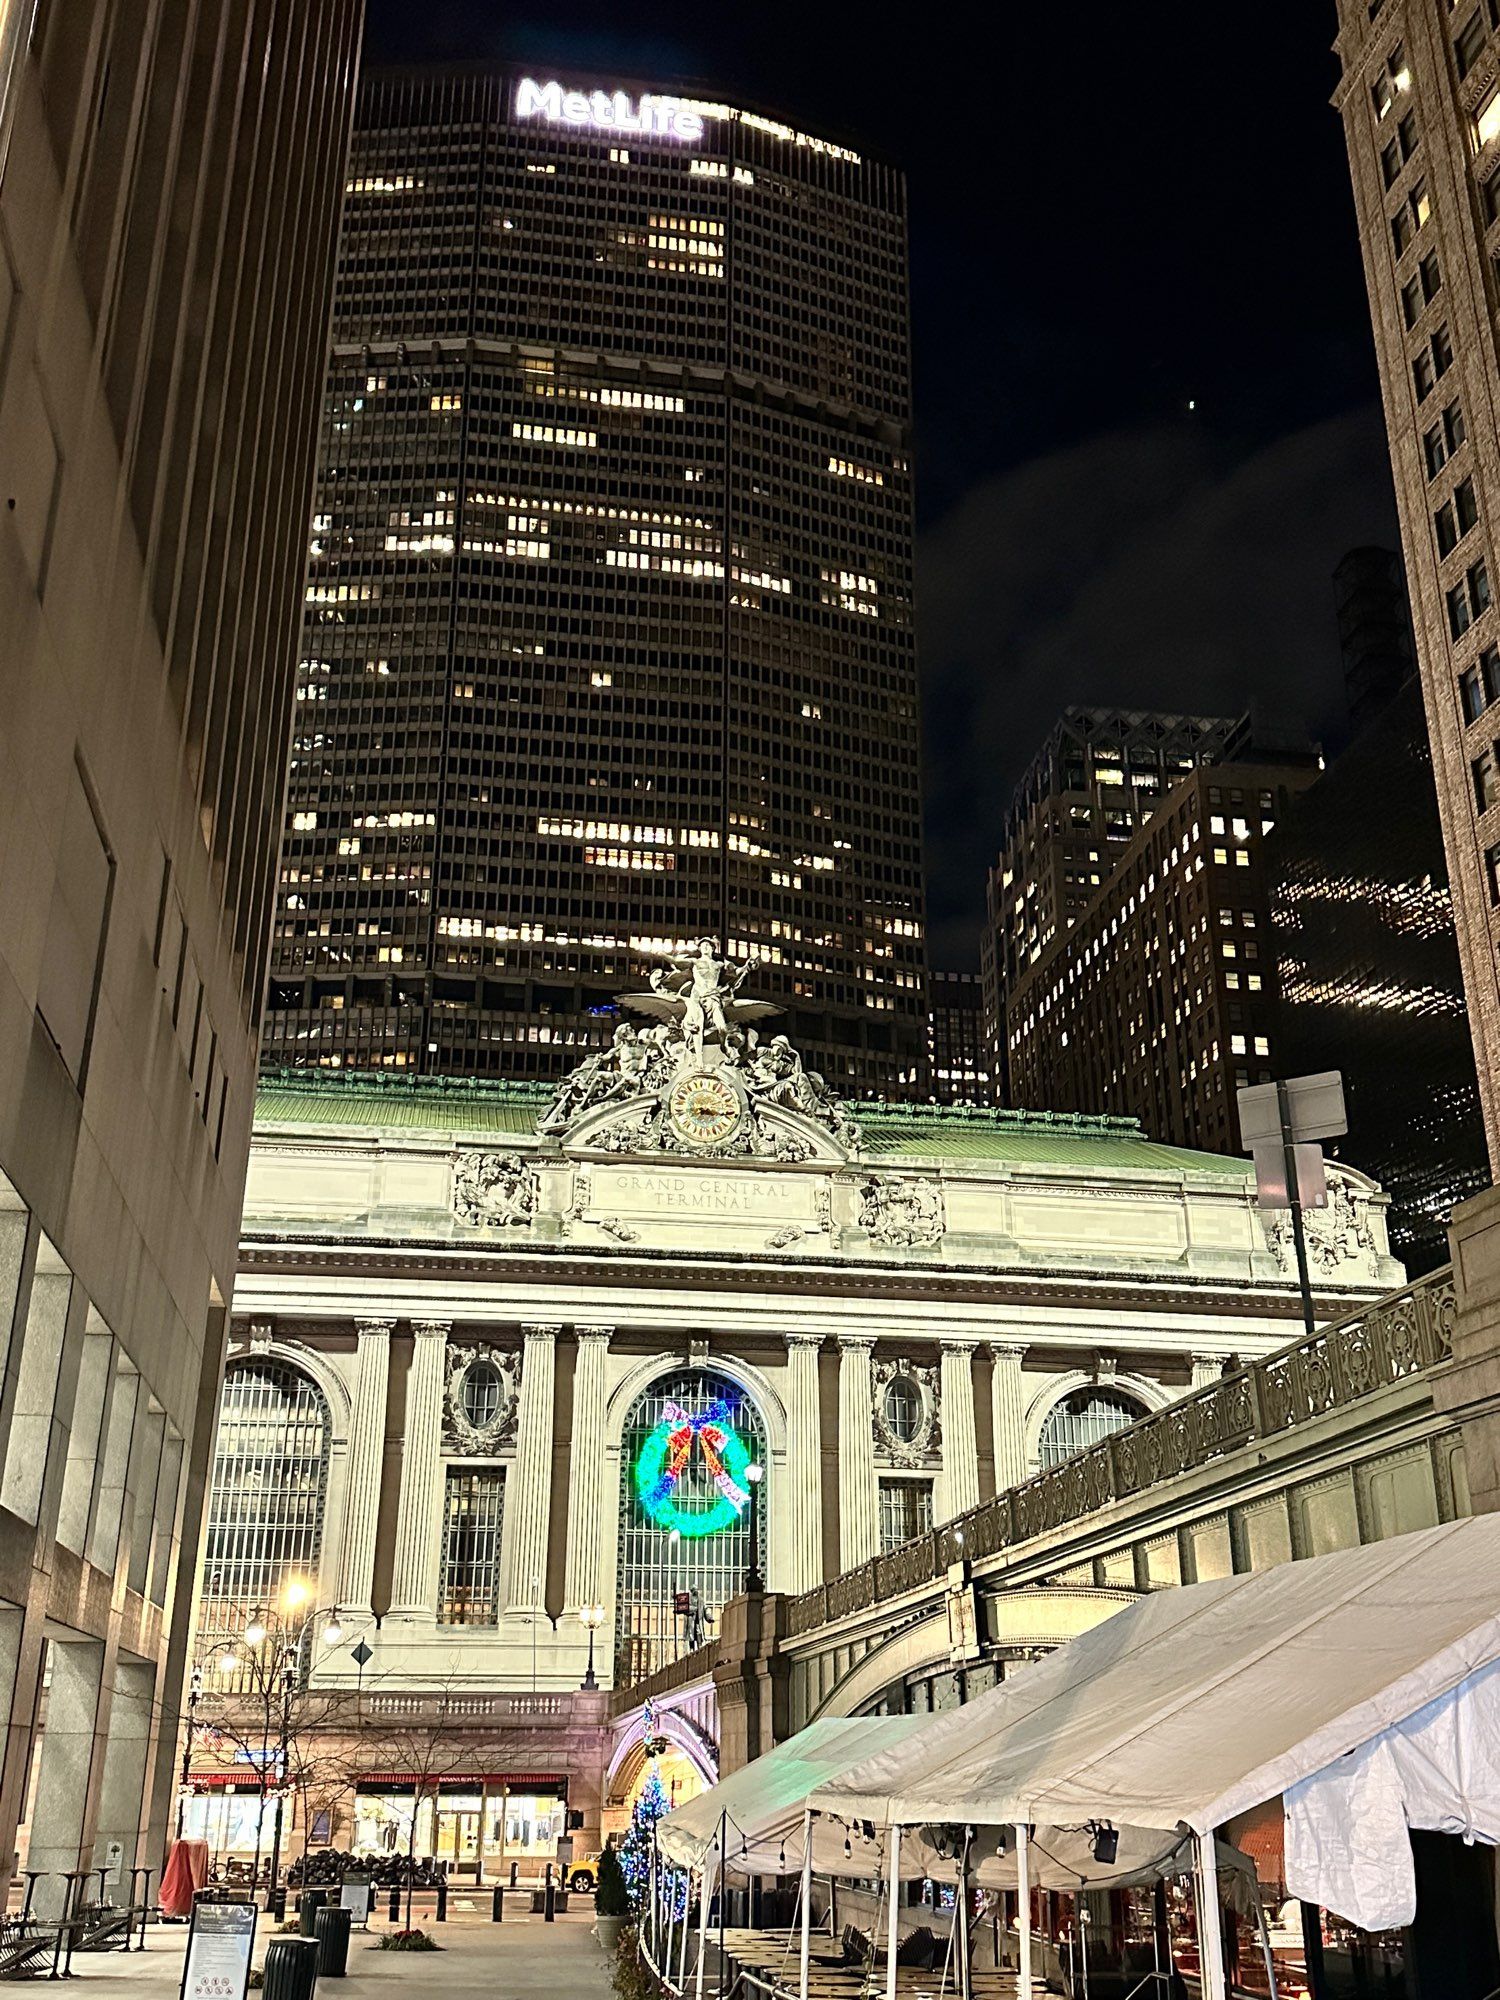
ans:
(699, 1081)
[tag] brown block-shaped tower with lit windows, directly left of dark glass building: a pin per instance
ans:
(1161, 999)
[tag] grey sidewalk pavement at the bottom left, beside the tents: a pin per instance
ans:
(523, 1959)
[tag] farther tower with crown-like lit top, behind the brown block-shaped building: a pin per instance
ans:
(1089, 789)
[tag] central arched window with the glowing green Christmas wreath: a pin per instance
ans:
(685, 1515)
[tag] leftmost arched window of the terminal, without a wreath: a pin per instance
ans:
(267, 1503)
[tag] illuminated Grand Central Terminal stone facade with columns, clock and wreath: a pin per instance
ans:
(527, 1385)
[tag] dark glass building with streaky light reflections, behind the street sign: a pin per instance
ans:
(1365, 933)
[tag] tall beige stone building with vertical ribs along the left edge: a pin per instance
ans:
(169, 207)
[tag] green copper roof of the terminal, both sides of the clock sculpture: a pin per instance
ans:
(375, 1101)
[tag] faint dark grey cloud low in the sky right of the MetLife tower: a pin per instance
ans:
(1145, 569)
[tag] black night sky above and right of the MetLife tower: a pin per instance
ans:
(1147, 421)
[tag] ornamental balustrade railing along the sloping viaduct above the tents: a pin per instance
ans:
(1335, 1367)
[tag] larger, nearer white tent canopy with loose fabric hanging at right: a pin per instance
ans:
(1195, 1705)
